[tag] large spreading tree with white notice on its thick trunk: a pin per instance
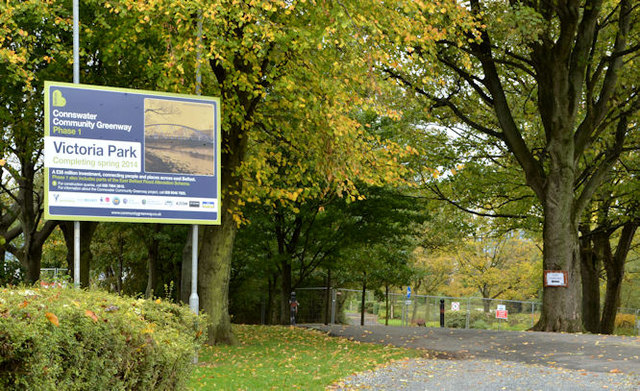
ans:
(542, 81)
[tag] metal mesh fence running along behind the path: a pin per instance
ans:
(343, 306)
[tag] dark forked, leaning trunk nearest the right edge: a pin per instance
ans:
(614, 267)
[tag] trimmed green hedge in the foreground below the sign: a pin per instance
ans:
(68, 339)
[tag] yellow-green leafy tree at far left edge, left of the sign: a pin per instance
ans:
(30, 41)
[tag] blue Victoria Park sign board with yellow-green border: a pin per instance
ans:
(115, 154)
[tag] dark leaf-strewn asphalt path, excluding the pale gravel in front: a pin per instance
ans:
(580, 352)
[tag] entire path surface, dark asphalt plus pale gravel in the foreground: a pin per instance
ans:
(494, 360)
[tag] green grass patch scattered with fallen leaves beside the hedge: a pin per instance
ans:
(286, 358)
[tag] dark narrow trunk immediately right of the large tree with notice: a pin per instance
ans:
(590, 271)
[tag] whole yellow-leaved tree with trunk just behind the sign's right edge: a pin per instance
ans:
(266, 58)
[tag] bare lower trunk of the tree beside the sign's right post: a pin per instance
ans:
(214, 267)
